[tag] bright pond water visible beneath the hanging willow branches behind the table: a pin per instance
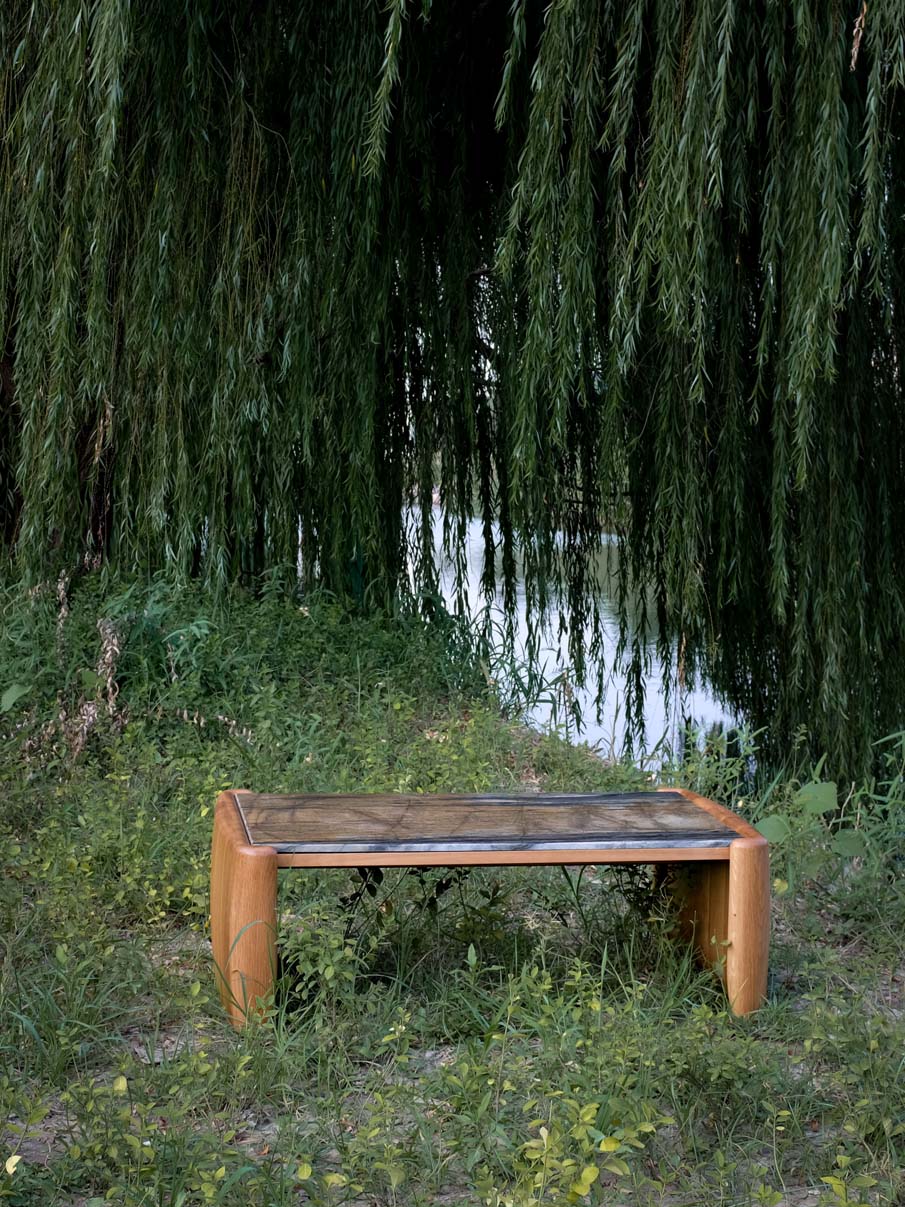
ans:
(663, 724)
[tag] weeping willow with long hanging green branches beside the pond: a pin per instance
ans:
(271, 272)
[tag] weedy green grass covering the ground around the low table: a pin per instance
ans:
(506, 1039)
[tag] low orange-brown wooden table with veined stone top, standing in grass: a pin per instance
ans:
(719, 866)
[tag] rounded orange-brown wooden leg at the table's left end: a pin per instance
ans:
(243, 914)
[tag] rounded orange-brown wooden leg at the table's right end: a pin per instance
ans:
(725, 908)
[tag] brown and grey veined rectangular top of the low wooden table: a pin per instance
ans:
(475, 829)
